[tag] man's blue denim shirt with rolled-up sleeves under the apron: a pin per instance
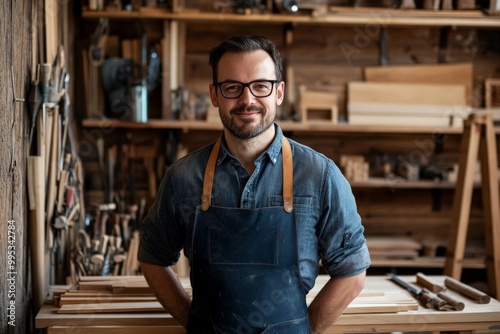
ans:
(328, 225)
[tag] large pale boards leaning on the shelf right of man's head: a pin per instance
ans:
(417, 95)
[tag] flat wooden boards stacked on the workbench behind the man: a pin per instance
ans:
(126, 294)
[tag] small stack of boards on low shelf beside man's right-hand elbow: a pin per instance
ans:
(395, 247)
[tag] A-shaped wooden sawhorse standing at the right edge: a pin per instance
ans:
(478, 141)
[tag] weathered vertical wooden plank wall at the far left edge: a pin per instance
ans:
(15, 31)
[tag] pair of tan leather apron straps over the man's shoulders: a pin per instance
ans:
(208, 180)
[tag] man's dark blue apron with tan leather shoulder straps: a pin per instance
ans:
(244, 265)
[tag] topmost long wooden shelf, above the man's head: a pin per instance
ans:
(336, 16)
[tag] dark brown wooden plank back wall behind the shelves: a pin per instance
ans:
(326, 58)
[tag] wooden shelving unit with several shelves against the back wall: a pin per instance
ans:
(174, 52)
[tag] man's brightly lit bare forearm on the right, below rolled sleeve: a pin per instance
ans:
(332, 300)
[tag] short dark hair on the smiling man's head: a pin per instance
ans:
(245, 43)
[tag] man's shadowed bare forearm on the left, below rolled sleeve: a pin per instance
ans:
(168, 290)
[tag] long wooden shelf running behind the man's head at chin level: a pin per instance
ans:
(286, 126)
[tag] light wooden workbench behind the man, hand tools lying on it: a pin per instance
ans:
(475, 317)
